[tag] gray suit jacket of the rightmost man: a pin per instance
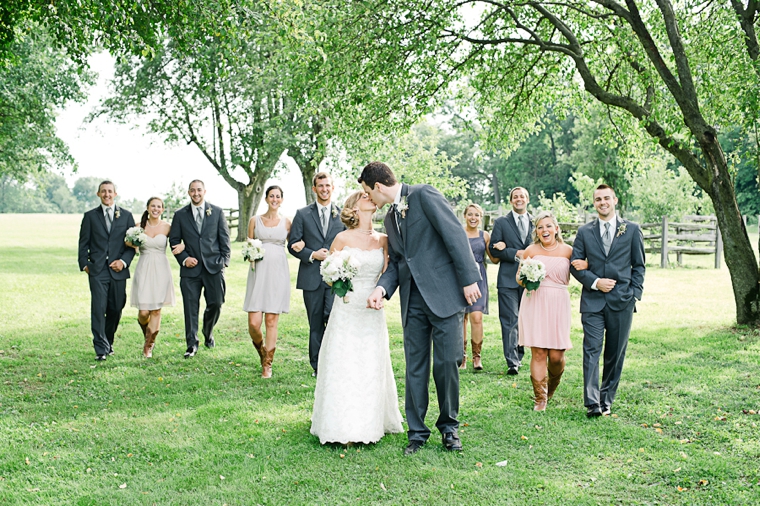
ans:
(625, 263)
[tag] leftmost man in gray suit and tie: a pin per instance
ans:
(105, 258)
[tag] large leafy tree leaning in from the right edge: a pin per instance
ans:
(678, 74)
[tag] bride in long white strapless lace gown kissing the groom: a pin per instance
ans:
(355, 400)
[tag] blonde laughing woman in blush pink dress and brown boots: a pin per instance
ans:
(544, 318)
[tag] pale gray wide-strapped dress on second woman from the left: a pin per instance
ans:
(268, 286)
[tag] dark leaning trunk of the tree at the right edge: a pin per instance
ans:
(740, 259)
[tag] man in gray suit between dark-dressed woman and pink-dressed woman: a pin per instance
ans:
(511, 234)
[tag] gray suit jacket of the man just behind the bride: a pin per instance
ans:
(307, 226)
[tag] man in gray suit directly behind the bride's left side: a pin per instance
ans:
(316, 225)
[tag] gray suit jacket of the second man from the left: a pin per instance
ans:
(211, 247)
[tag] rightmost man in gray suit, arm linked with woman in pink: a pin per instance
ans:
(613, 282)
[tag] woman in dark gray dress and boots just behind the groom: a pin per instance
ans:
(479, 241)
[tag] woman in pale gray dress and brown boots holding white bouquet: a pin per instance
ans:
(268, 290)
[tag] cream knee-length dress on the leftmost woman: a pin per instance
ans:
(152, 286)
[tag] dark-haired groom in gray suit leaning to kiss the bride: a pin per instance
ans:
(431, 261)
